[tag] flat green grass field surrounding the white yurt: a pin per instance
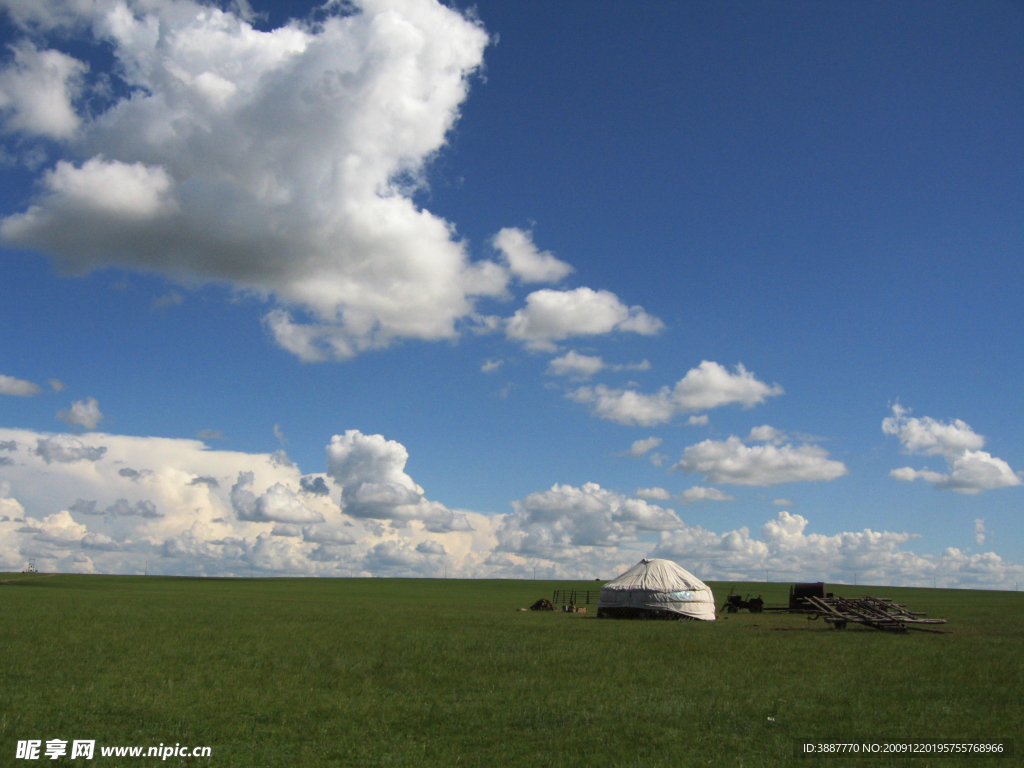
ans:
(447, 673)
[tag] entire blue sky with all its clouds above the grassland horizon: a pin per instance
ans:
(562, 285)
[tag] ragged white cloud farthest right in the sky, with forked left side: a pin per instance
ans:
(971, 471)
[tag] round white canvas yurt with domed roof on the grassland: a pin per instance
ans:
(657, 589)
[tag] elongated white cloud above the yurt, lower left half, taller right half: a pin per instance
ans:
(709, 386)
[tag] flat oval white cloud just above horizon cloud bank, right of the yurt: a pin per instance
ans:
(732, 462)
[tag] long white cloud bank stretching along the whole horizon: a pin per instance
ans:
(105, 503)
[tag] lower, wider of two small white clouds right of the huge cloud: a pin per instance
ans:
(554, 316)
